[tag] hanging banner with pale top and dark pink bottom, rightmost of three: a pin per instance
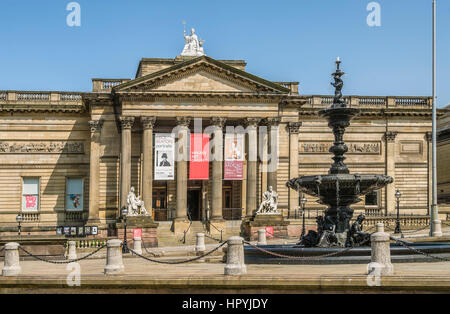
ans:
(234, 157)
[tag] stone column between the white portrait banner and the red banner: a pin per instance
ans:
(181, 221)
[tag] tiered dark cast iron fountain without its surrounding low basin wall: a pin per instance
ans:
(339, 189)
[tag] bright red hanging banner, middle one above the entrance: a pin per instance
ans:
(199, 162)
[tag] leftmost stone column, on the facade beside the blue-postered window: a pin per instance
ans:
(94, 172)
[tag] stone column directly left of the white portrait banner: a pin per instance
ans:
(147, 165)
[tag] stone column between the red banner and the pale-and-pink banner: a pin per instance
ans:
(217, 169)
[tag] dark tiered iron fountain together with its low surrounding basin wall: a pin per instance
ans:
(339, 190)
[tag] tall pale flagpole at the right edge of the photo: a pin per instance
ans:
(434, 219)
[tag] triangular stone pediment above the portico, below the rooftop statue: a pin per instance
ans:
(204, 75)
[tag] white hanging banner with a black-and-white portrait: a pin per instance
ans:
(164, 156)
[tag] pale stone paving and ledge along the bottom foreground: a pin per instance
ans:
(146, 277)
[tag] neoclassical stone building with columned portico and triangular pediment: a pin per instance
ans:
(70, 158)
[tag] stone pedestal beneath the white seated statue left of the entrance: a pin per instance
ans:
(149, 234)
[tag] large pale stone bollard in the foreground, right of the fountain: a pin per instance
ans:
(381, 253)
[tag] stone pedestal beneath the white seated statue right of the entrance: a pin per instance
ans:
(261, 221)
